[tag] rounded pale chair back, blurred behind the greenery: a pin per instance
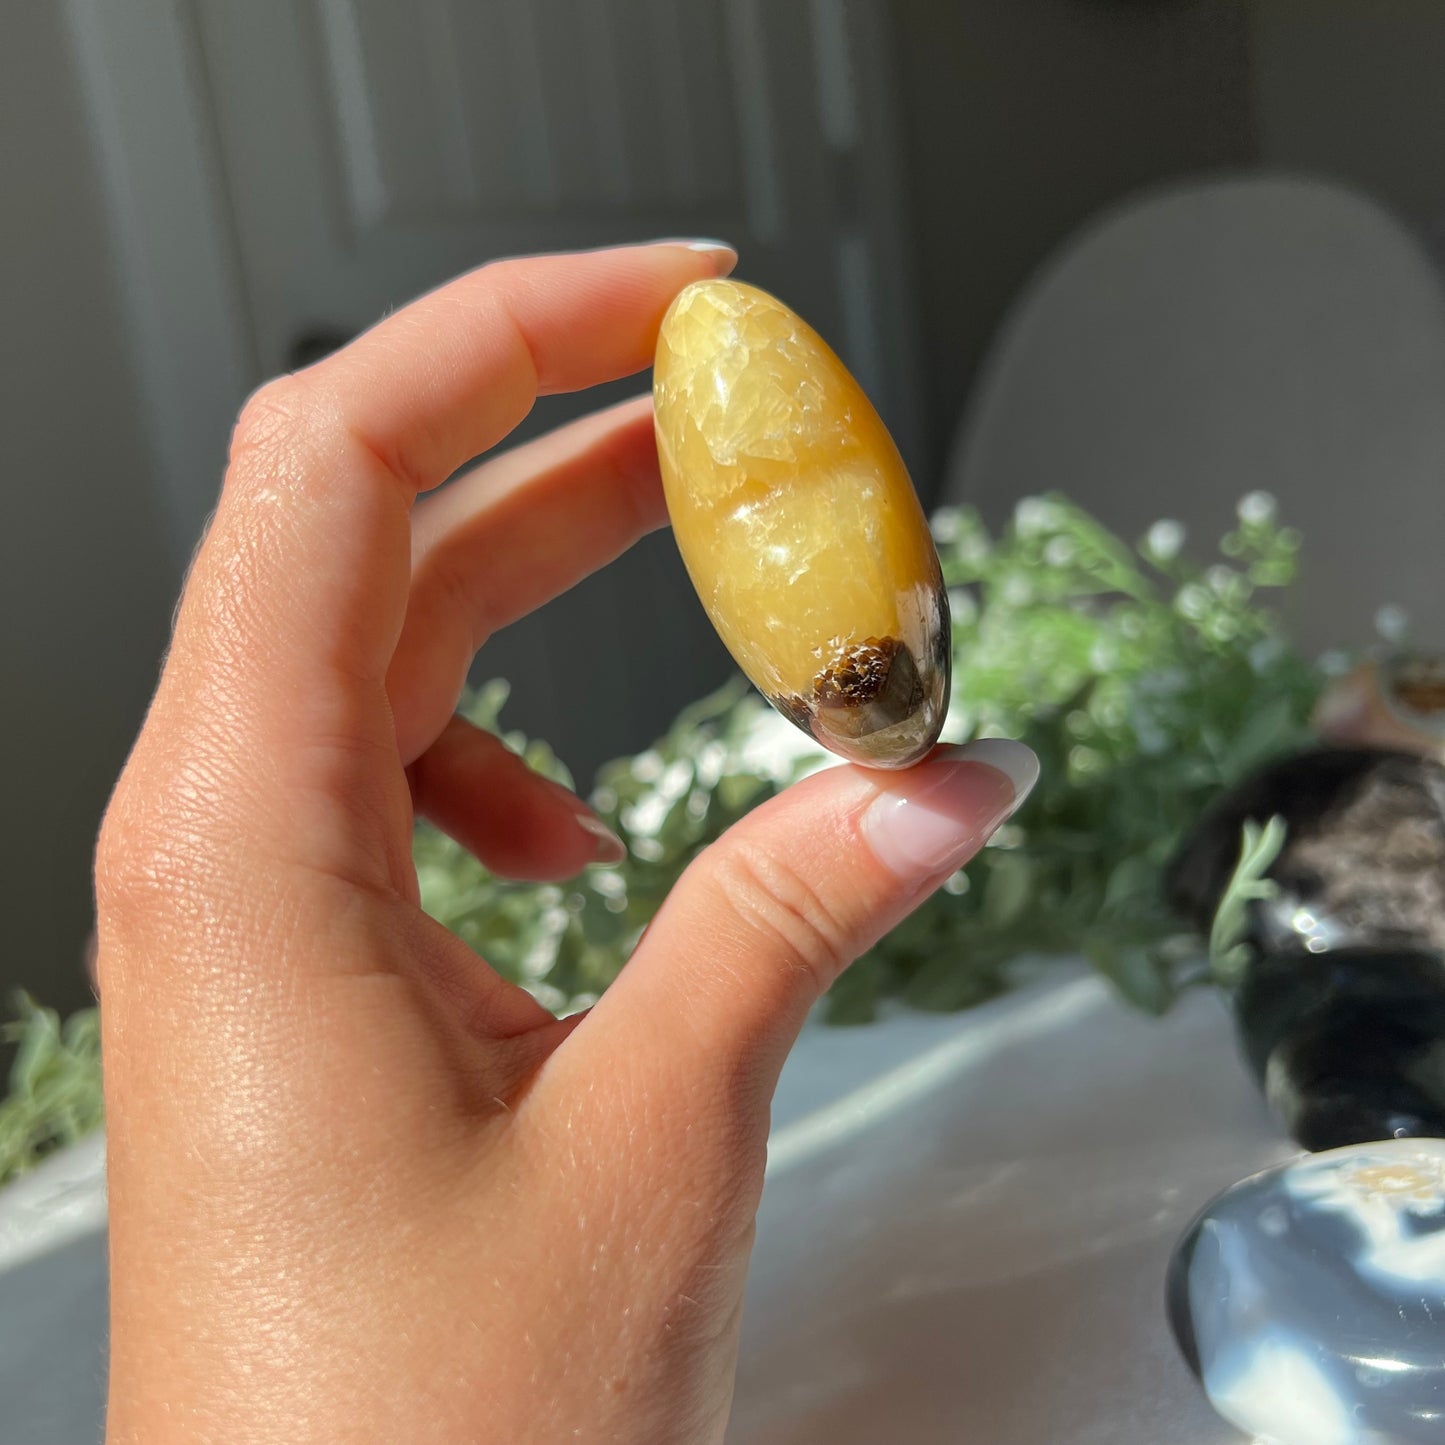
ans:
(1272, 335)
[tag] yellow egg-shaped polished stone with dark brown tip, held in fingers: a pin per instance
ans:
(800, 527)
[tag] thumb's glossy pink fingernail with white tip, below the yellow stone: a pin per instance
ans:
(941, 813)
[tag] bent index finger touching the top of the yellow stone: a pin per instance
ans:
(306, 569)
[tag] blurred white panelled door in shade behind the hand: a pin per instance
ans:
(356, 152)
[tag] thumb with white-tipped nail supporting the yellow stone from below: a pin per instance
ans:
(764, 921)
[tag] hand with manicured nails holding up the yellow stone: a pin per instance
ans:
(362, 1189)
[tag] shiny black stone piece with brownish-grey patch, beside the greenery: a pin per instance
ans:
(1342, 1008)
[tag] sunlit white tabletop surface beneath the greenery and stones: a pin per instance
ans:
(963, 1236)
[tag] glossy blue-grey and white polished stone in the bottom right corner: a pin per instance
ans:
(1311, 1298)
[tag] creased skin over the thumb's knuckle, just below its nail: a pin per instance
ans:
(793, 920)
